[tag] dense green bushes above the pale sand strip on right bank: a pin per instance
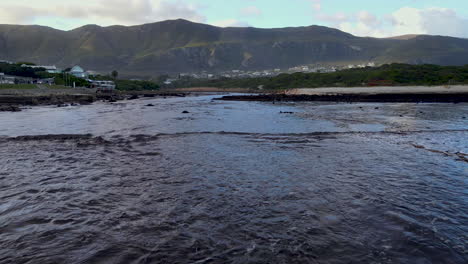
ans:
(385, 75)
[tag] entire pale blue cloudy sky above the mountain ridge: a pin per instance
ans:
(377, 18)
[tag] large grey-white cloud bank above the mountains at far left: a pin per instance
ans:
(103, 12)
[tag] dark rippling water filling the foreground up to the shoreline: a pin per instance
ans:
(234, 182)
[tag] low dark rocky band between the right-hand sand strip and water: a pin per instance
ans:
(350, 98)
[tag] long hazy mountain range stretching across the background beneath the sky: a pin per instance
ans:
(176, 46)
